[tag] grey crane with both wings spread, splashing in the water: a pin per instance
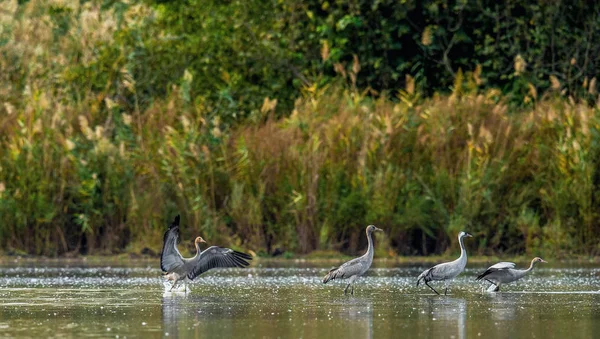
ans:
(177, 268)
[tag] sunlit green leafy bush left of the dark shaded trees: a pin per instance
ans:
(234, 50)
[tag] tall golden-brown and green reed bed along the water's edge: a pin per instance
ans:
(85, 167)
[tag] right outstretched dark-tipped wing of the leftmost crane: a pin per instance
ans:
(214, 257)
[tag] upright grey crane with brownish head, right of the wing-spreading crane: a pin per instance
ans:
(355, 267)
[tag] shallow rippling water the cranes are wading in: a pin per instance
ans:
(270, 301)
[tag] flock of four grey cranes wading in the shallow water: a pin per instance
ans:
(177, 269)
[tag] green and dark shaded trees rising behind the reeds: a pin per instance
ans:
(243, 51)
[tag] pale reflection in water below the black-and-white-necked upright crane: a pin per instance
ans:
(445, 315)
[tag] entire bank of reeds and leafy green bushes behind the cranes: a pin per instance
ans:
(110, 126)
